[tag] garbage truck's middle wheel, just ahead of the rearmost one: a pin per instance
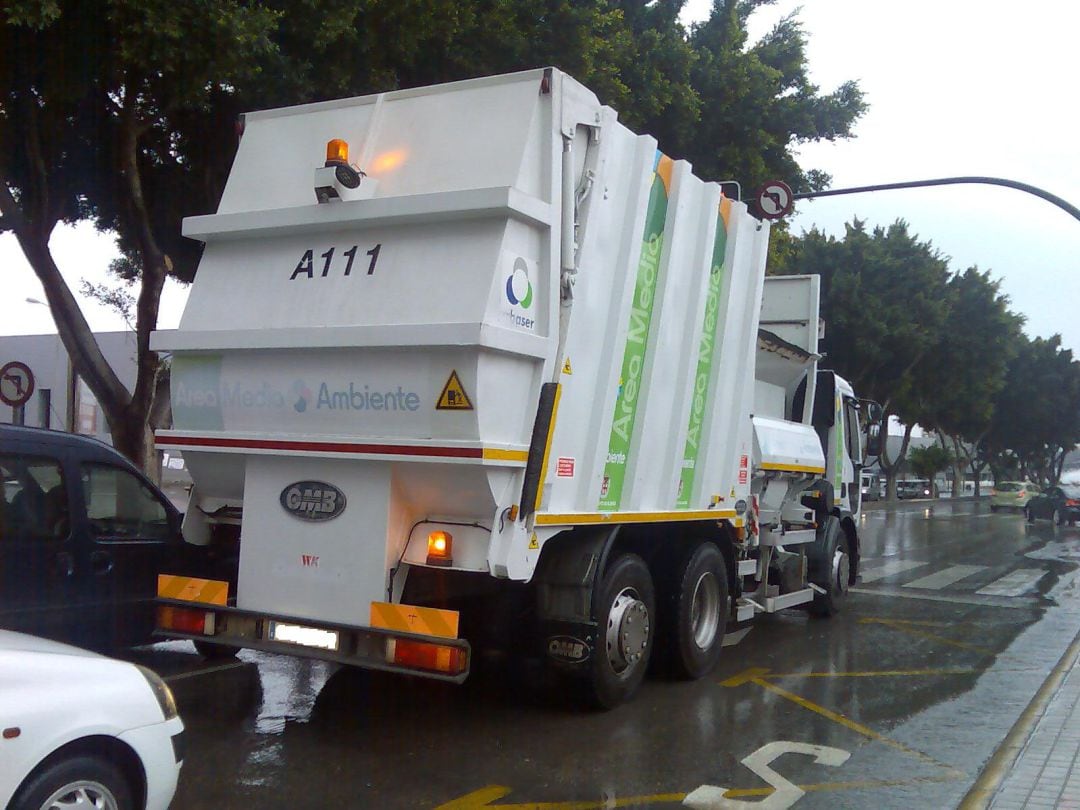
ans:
(694, 614)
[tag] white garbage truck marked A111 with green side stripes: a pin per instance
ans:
(475, 363)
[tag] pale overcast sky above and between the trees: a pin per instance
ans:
(954, 87)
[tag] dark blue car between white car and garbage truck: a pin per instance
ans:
(84, 535)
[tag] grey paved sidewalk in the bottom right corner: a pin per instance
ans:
(1046, 774)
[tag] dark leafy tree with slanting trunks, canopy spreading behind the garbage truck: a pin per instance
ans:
(124, 114)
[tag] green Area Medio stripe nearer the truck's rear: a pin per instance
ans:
(638, 341)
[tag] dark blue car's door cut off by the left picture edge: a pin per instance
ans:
(40, 591)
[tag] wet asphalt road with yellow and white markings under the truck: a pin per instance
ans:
(898, 703)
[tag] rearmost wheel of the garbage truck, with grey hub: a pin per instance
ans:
(625, 615)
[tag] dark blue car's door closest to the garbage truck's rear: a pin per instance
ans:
(131, 539)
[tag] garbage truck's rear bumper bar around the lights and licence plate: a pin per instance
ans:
(366, 647)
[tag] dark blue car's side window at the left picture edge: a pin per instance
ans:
(34, 506)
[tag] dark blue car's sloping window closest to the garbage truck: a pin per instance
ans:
(120, 507)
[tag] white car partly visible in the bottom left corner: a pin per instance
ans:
(82, 731)
